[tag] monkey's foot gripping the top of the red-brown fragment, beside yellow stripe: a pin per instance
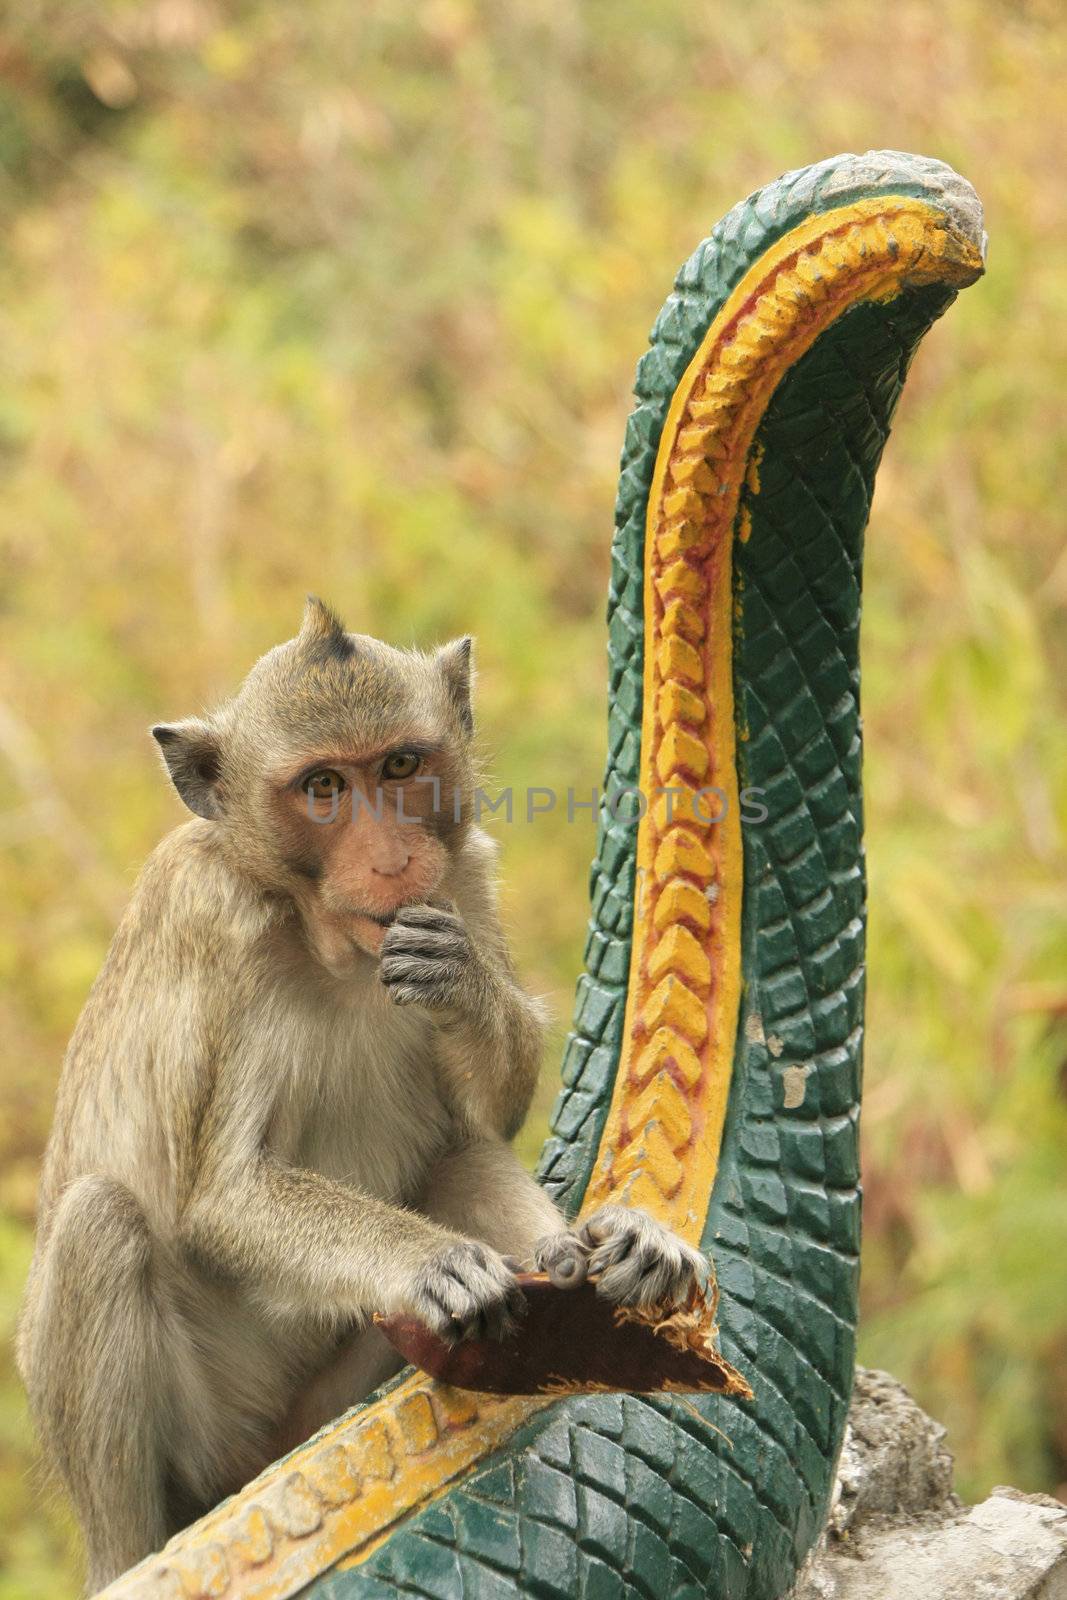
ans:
(636, 1260)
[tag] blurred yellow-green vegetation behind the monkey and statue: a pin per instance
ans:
(350, 298)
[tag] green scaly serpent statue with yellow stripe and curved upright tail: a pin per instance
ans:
(714, 1070)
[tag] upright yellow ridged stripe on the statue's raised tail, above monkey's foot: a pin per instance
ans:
(797, 289)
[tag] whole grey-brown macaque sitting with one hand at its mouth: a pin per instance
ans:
(289, 1100)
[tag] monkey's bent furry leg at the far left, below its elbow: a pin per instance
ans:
(94, 1374)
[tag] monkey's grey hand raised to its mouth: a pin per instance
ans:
(428, 958)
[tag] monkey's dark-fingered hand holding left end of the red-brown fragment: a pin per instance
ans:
(466, 1292)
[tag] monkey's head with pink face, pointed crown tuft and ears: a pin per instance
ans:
(340, 775)
